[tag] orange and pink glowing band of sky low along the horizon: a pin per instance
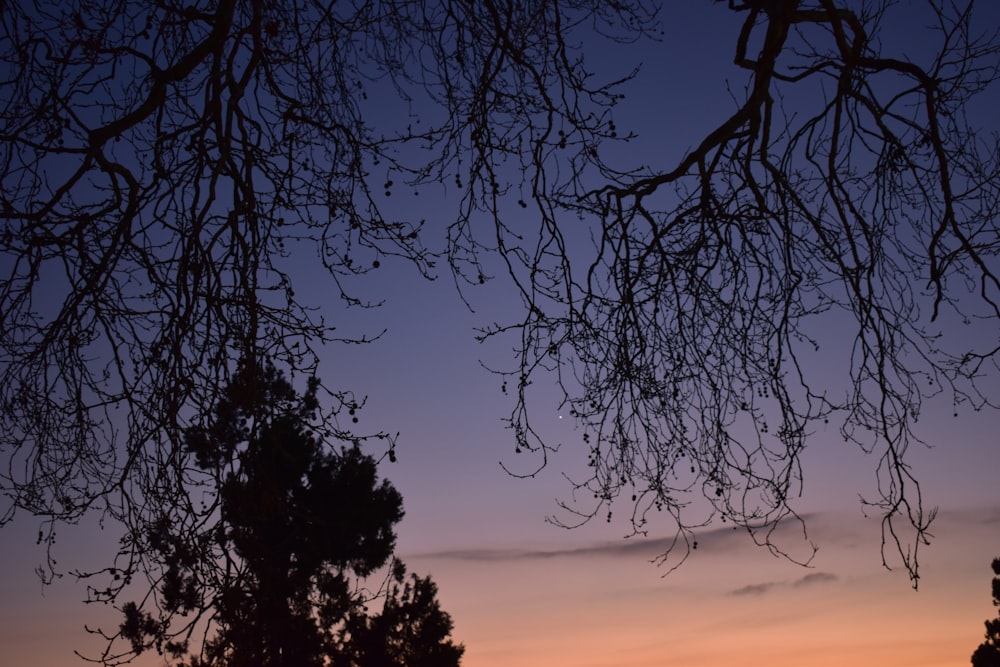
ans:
(737, 605)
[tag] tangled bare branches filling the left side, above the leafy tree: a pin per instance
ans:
(166, 169)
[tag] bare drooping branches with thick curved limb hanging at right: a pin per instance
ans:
(849, 186)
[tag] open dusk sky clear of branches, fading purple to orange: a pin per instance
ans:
(525, 592)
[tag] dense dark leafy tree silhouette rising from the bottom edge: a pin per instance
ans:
(271, 559)
